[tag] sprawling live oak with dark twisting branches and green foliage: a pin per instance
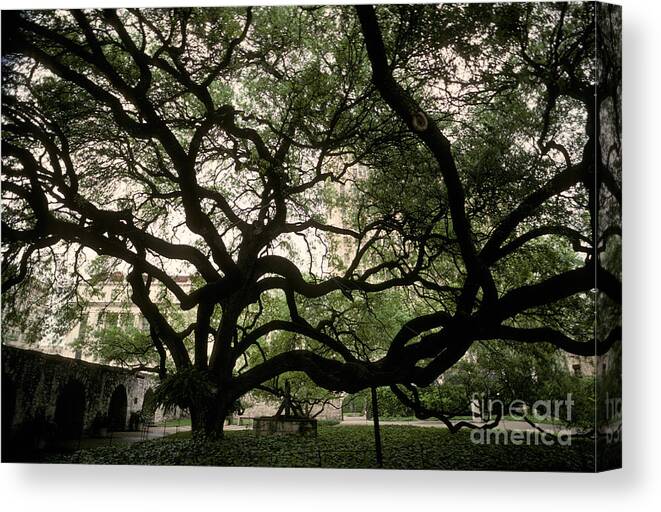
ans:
(296, 161)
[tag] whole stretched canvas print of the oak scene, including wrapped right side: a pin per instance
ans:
(313, 236)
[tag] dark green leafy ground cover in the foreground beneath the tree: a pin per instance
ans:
(404, 447)
